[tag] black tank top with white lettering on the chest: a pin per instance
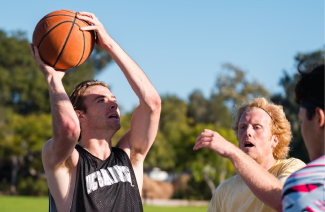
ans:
(108, 185)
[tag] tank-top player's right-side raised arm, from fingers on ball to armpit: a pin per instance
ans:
(145, 119)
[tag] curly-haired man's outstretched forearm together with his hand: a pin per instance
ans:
(264, 185)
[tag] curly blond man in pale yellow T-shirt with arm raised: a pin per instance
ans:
(263, 134)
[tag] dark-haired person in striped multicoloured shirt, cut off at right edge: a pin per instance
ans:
(304, 189)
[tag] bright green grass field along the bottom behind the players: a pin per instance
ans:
(40, 204)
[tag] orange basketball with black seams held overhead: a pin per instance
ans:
(60, 42)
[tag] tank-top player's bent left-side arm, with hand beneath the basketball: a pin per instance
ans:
(65, 123)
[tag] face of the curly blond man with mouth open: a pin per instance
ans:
(255, 136)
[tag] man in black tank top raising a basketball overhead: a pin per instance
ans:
(94, 176)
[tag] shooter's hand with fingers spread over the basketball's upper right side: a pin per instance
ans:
(96, 25)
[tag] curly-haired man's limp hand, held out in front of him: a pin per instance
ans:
(215, 142)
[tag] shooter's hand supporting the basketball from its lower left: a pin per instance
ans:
(46, 69)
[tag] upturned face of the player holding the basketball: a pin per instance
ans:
(102, 109)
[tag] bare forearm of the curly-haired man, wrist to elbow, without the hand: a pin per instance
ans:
(263, 184)
